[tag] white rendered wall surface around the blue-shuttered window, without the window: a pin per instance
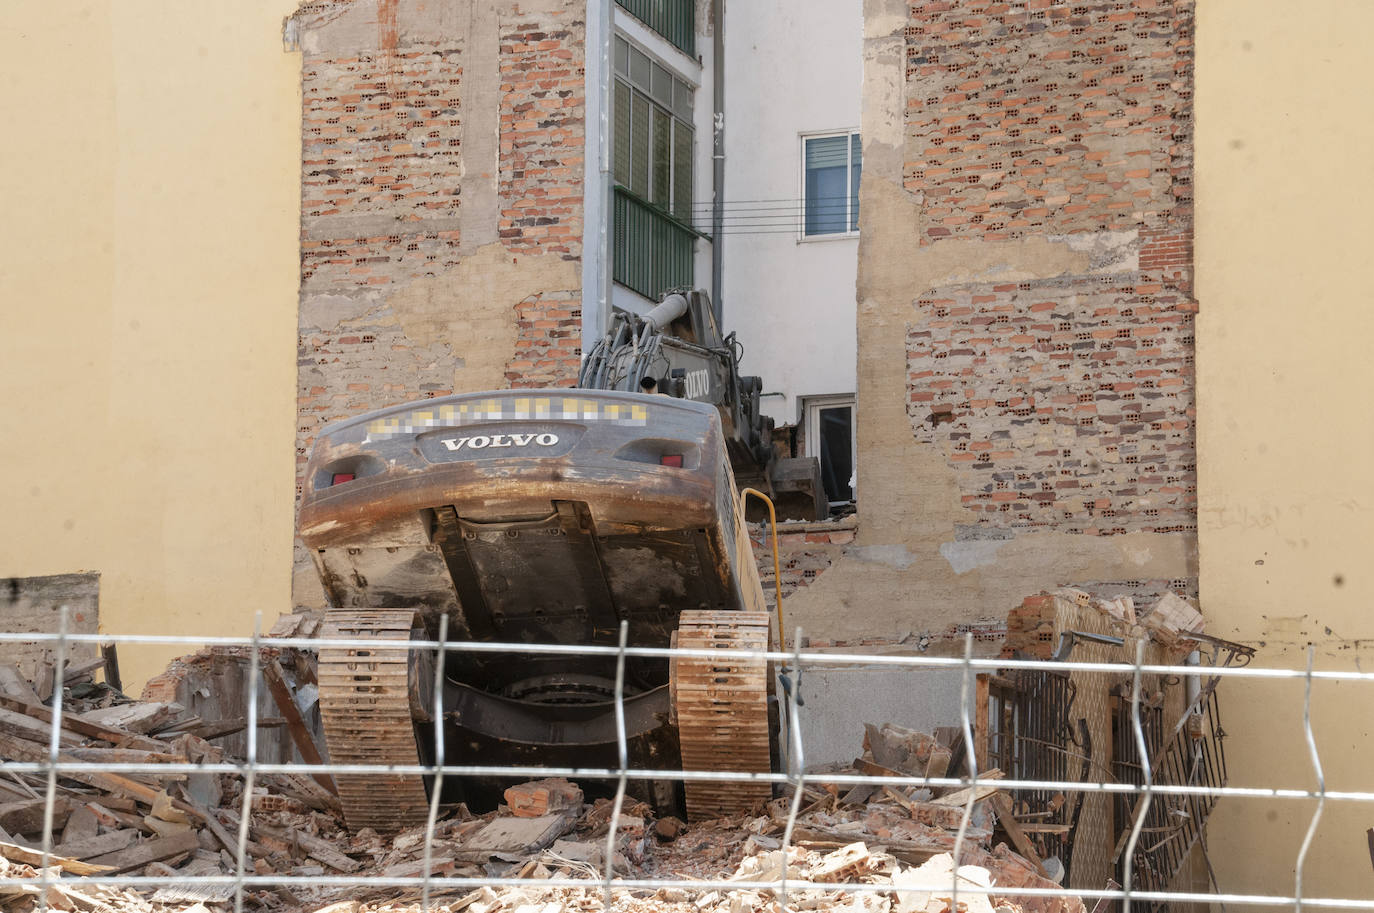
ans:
(791, 69)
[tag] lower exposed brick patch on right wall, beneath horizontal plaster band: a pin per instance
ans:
(1061, 404)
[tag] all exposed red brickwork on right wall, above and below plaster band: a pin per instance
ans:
(1060, 404)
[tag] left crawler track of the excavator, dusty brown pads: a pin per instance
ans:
(366, 710)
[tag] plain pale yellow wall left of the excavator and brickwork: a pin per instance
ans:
(148, 283)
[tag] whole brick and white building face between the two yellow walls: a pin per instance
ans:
(956, 240)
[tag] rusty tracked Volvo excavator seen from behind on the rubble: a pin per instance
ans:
(546, 518)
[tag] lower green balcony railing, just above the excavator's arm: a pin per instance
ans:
(652, 252)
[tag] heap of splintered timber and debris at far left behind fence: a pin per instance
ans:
(105, 823)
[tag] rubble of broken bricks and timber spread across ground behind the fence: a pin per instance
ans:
(177, 826)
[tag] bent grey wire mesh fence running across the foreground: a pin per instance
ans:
(1015, 746)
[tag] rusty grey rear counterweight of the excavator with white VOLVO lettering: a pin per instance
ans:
(605, 461)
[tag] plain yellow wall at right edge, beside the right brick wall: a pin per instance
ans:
(1285, 189)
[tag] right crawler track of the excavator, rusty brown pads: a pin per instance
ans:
(722, 709)
